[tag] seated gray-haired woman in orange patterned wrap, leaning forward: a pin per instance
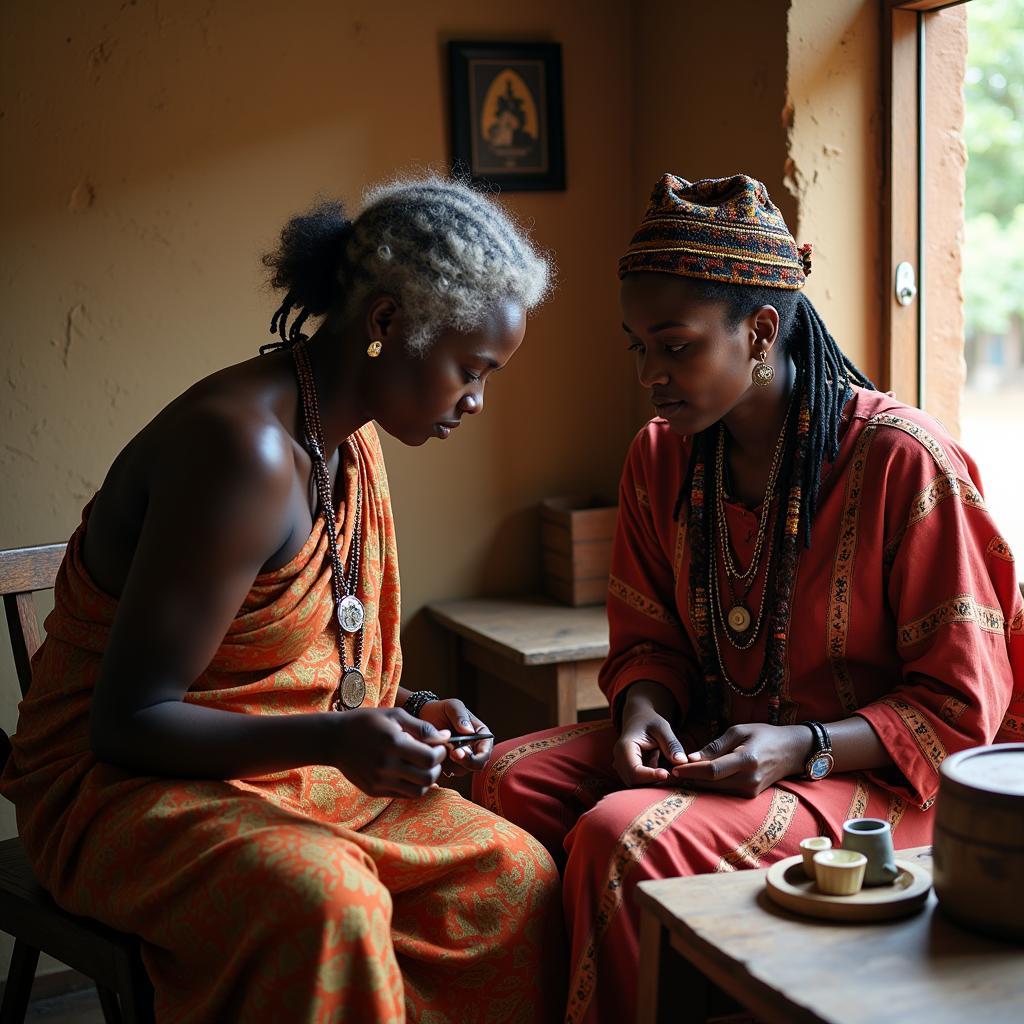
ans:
(217, 753)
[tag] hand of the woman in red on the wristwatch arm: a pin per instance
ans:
(747, 759)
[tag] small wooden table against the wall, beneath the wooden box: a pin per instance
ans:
(550, 652)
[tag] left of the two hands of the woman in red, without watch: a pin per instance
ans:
(647, 735)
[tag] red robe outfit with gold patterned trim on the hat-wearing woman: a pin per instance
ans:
(907, 612)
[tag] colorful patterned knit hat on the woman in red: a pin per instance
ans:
(720, 230)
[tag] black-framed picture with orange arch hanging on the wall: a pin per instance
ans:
(507, 114)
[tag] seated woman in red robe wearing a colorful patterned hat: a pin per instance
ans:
(794, 548)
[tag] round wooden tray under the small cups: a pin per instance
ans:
(790, 887)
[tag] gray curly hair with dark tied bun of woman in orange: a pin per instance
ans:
(446, 252)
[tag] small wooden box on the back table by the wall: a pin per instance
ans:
(576, 540)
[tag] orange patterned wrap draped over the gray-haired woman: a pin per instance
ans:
(294, 897)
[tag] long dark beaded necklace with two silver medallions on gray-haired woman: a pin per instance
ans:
(350, 613)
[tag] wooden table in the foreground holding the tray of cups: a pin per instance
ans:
(721, 932)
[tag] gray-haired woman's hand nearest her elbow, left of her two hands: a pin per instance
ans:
(387, 752)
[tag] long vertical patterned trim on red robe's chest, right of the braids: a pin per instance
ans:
(838, 613)
